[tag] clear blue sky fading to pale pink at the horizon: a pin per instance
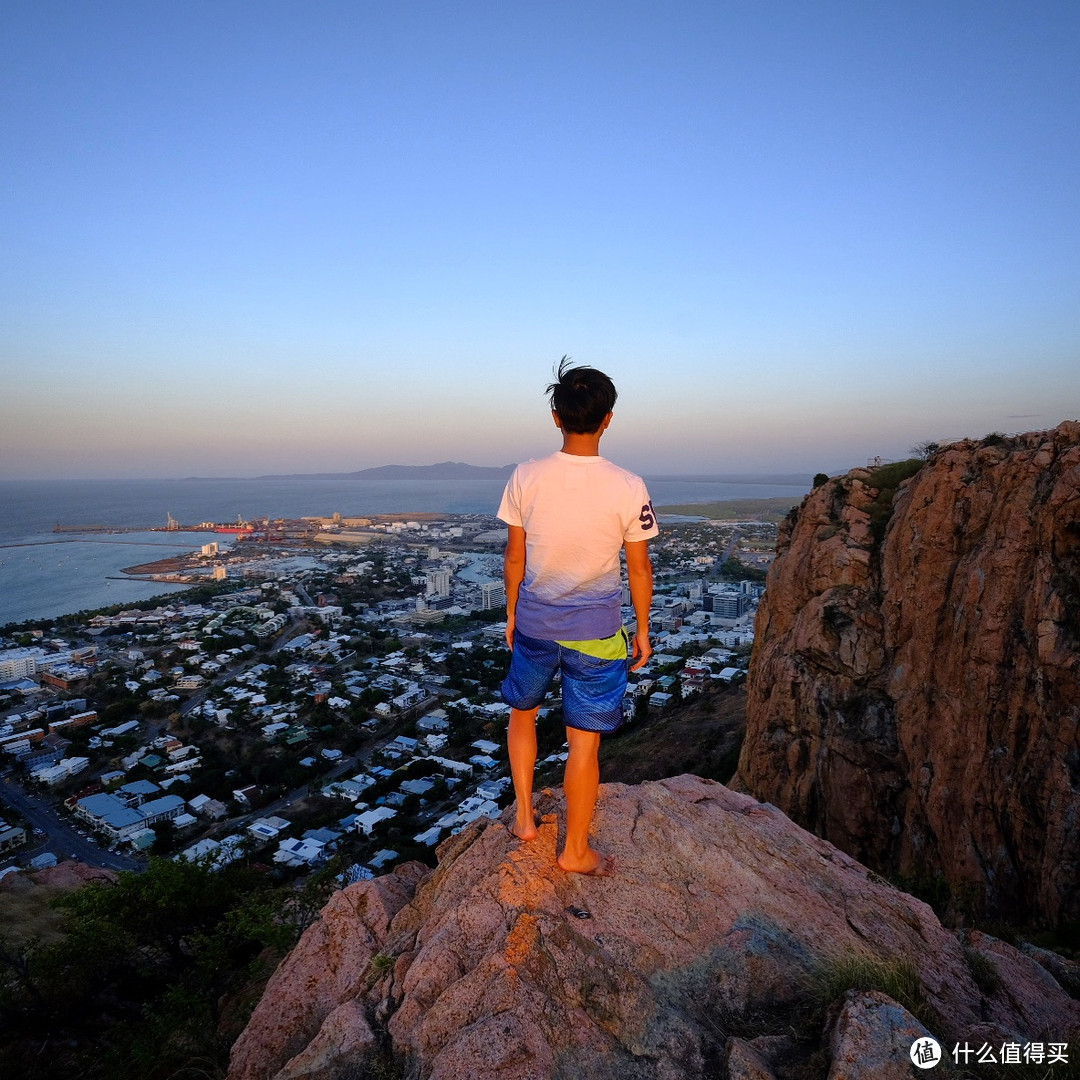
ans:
(242, 238)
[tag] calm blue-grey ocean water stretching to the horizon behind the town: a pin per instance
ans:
(45, 574)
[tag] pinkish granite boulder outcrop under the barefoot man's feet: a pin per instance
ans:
(698, 958)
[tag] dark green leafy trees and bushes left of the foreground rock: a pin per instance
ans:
(134, 988)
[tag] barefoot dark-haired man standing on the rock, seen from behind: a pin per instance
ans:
(570, 516)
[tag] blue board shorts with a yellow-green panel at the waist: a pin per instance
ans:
(593, 687)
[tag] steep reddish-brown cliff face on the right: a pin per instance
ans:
(915, 690)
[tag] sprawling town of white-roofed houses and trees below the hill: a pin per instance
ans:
(332, 699)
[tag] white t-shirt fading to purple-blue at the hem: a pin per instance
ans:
(577, 514)
